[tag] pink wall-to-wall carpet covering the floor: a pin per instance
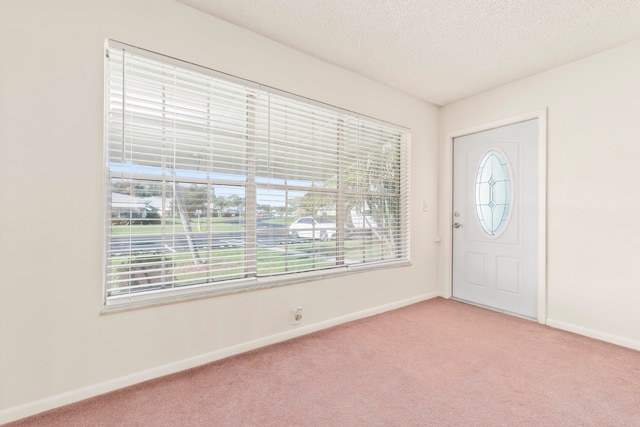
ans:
(435, 363)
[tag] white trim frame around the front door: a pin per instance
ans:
(447, 205)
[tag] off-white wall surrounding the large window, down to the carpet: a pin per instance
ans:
(55, 345)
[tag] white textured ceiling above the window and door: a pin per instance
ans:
(438, 50)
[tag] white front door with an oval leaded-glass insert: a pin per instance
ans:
(495, 218)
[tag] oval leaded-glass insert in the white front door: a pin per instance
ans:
(493, 193)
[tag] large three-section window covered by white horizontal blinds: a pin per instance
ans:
(215, 184)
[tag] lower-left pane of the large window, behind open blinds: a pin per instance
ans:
(165, 235)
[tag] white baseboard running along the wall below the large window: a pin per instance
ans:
(51, 402)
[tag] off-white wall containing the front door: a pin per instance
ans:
(593, 283)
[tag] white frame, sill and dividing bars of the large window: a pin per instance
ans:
(254, 280)
